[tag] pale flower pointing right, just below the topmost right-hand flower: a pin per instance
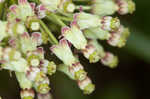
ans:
(86, 20)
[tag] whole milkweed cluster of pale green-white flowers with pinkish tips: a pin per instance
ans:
(67, 27)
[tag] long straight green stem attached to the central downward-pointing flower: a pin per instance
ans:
(52, 37)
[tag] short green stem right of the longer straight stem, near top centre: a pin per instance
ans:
(54, 18)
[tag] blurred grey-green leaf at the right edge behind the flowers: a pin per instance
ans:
(139, 45)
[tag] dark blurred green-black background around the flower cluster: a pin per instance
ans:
(129, 81)
